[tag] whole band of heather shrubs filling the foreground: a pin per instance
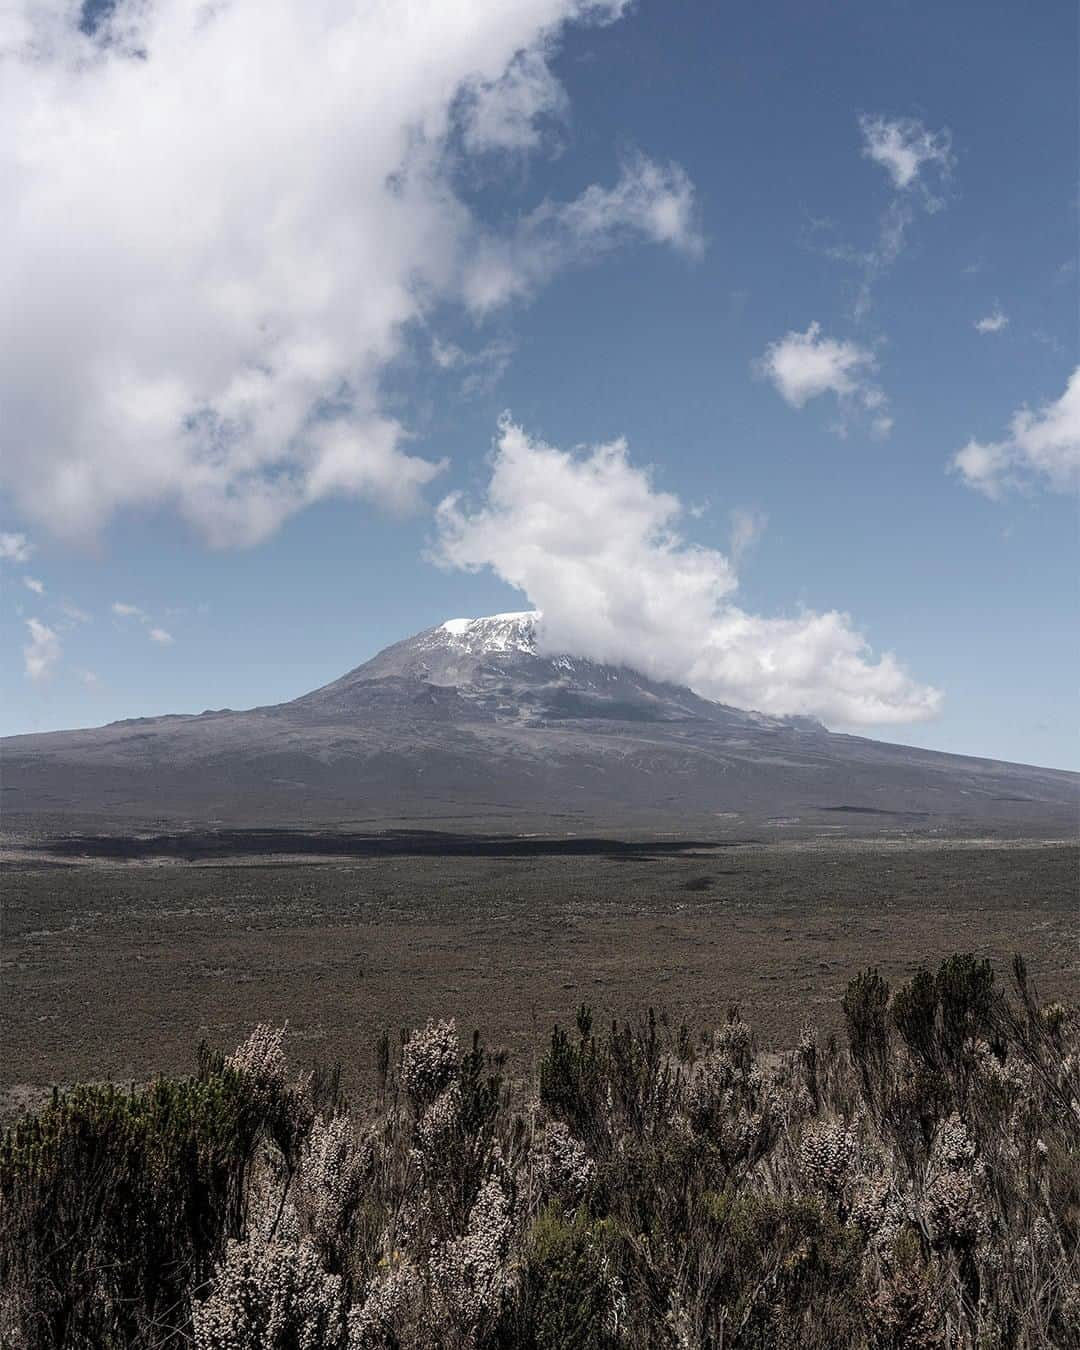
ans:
(916, 1189)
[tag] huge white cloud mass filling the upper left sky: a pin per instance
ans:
(265, 198)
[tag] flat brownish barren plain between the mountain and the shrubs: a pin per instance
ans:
(118, 961)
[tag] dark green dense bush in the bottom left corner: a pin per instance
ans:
(105, 1178)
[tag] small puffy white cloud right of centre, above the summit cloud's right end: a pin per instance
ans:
(805, 367)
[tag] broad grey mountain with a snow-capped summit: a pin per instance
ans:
(468, 724)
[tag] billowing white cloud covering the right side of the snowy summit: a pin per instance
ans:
(595, 545)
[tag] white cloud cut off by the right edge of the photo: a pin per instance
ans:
(1042, 449)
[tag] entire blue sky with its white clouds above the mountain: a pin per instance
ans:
(607, 244)
